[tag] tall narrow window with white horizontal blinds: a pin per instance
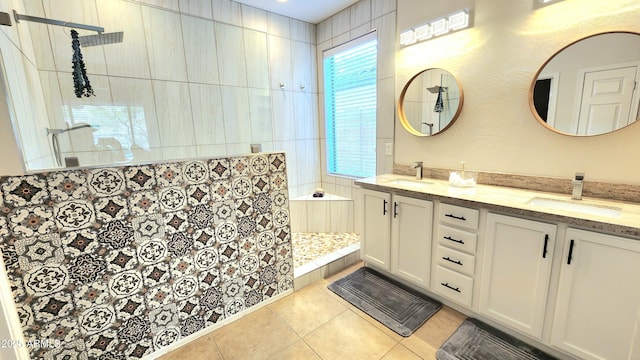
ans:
(350, 93)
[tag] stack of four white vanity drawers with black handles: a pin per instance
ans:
(455, 253)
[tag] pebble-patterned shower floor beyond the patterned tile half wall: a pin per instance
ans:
(308, 247)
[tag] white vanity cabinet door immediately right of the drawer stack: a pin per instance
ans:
(516, 272)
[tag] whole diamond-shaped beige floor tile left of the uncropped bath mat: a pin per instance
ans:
(307, 309)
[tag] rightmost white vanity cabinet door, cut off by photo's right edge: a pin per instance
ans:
(597, 313)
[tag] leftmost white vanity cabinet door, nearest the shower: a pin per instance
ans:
(376, 240)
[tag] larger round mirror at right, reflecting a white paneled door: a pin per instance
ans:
(589, 87)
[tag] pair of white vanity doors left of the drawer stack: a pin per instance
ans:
(397, 235)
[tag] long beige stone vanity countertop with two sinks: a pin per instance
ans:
(516, 202)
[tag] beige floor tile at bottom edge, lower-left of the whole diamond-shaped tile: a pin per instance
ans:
(258, 335)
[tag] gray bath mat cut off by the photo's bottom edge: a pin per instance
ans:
(474, 340)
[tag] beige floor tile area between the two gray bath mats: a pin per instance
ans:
(428, 338)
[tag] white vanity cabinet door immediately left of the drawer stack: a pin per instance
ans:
(411, 239)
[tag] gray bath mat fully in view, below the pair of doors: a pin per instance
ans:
(399, 308)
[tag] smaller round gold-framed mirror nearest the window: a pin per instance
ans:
(430, 102)
